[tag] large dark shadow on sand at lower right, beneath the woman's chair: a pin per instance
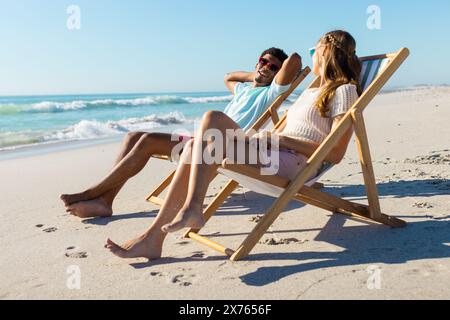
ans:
(361, 245)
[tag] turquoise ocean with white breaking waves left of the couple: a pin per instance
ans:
(26, 121)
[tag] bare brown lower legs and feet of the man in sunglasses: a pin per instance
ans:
(97, 201)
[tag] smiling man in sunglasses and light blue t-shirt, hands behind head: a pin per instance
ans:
(253, 93)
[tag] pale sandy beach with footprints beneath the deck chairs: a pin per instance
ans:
(308, 254)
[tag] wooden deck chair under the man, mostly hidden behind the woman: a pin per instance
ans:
(270, 114)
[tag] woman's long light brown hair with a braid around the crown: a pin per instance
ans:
(341, 66)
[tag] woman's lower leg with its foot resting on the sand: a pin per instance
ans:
(150, 244)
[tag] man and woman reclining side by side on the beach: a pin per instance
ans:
(309, 121)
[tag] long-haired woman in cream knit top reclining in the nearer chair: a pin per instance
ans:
(309, 122)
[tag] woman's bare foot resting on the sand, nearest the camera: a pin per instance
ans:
(142, 247)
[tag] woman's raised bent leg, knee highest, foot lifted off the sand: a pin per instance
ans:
(191, 215)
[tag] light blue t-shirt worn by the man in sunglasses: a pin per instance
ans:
(249, 103)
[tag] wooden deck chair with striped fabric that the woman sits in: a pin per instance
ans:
(377, 70)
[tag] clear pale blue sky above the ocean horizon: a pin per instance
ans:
(188, 45)
